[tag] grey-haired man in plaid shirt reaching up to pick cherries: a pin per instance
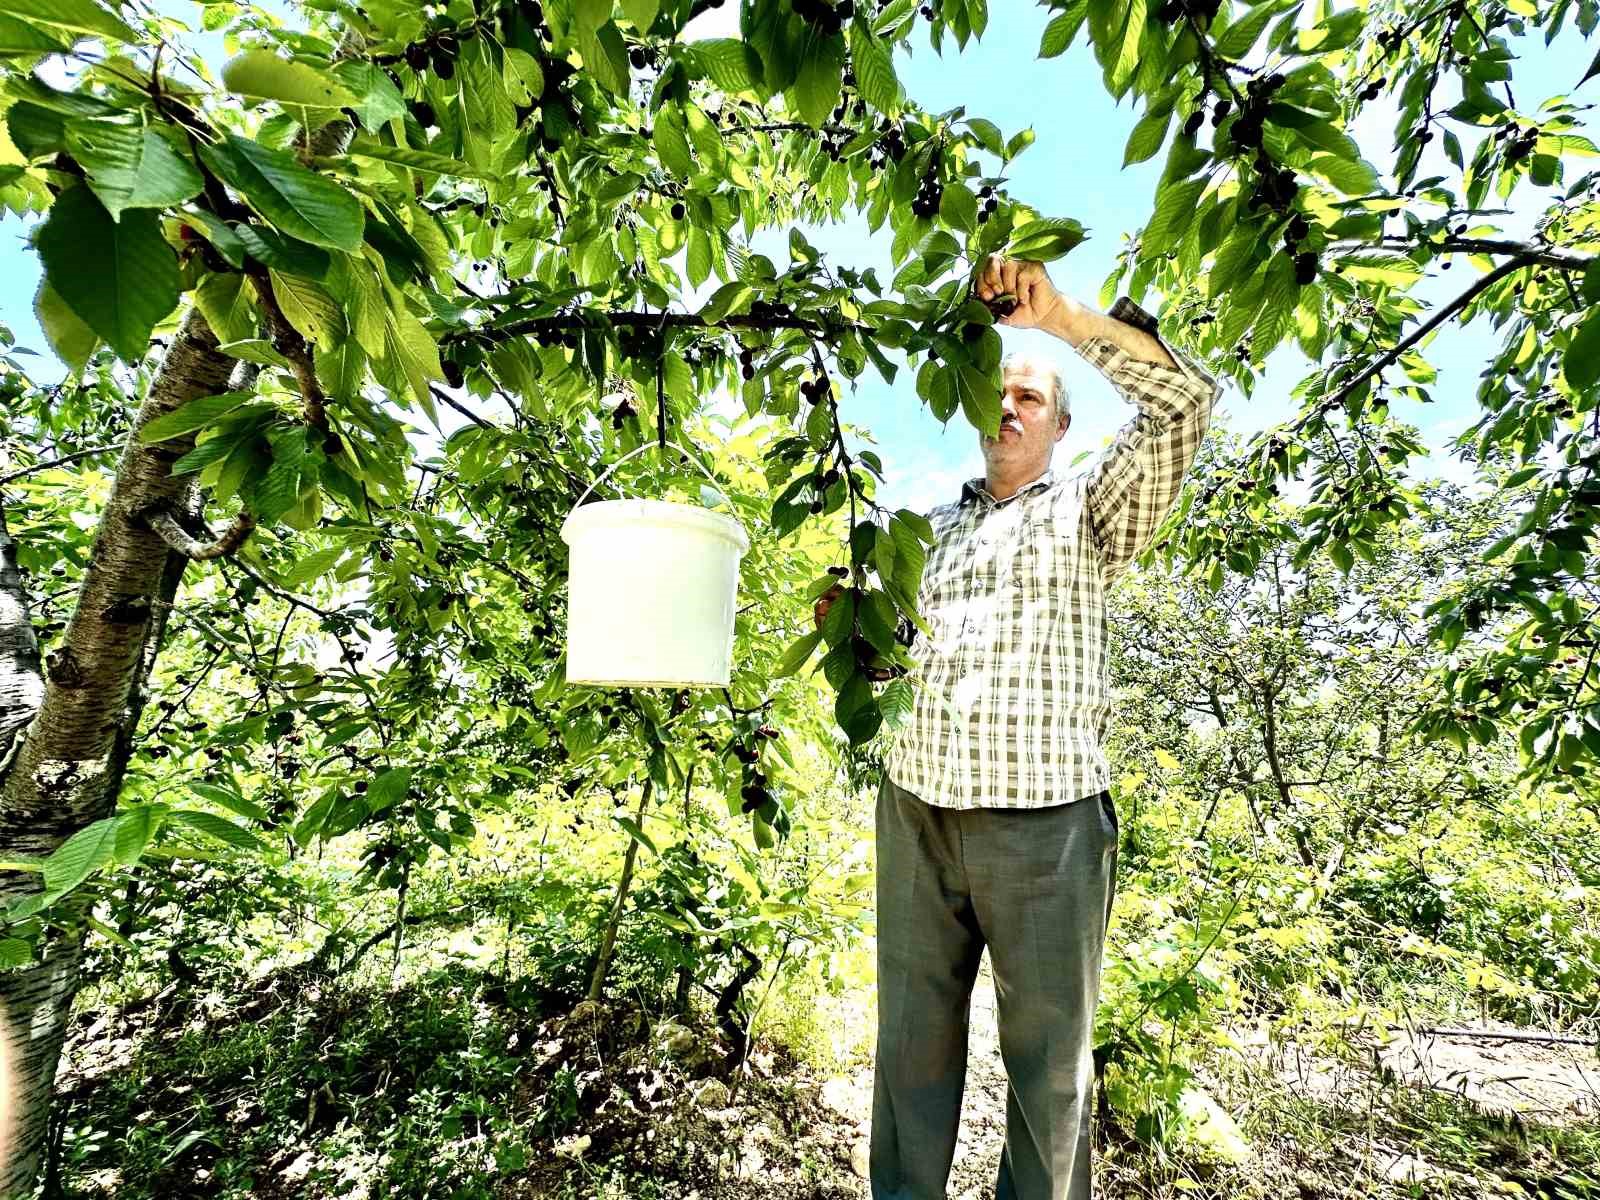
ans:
(994, 822)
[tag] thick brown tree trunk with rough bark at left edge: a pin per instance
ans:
(60, 780)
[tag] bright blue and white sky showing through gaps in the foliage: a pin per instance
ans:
(1071, 170)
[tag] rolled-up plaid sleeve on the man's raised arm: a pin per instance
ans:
(1134, 484)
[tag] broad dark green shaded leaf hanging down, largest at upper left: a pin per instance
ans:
(119, 278)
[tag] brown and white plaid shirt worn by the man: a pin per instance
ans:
(1017, 670)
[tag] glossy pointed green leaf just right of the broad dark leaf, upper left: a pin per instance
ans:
(294, 199)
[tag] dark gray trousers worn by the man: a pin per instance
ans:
(1036, 887)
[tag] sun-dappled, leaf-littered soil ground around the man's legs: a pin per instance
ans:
(657, 1116)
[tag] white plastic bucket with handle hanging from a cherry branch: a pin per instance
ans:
(652, 591)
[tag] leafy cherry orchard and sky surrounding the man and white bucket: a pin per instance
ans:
(319, 322)
